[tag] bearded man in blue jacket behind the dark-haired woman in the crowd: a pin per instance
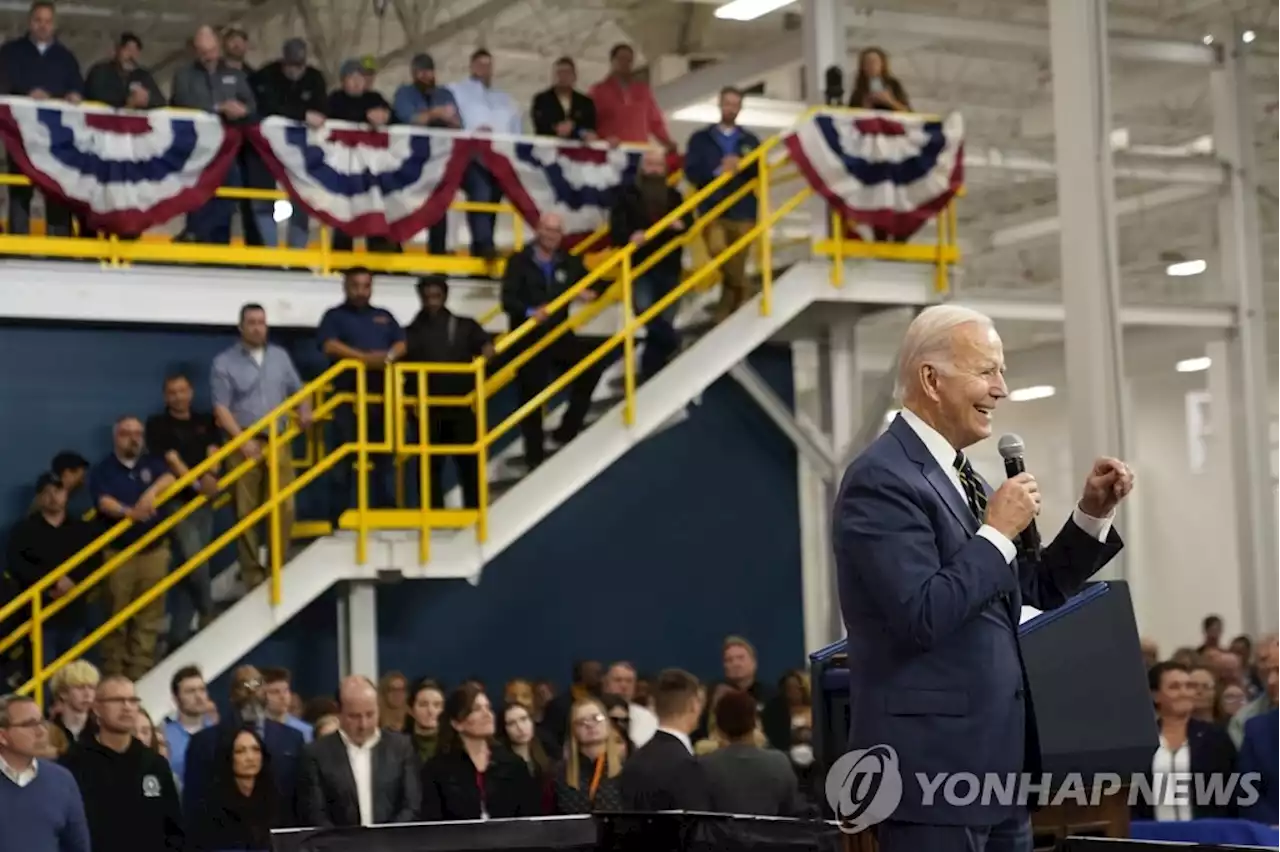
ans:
(249, 711)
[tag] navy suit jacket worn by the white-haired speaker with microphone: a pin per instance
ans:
(932, 613)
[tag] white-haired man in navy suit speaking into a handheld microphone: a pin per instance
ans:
(931, 588)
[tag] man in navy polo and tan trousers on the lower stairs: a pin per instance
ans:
(127, 485)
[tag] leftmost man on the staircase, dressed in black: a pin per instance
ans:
(38, 546)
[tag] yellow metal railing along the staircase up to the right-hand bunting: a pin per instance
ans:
(779, 191)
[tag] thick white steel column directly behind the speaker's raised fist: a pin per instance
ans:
(1090, 246)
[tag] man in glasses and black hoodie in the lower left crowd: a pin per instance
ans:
(131, 801)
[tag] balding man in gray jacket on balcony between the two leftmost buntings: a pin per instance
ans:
(213, 86)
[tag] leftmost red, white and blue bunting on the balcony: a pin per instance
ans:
(122, 172)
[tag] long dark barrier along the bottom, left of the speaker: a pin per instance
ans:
(673, 832)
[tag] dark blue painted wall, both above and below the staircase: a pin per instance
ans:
(689, 538)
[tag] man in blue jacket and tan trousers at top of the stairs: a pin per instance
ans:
(714, 152)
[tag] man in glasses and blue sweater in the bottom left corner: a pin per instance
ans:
(40, 805)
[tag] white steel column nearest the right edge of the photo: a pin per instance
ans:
(1246, 347)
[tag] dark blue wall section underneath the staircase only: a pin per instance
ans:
(692, 537)
